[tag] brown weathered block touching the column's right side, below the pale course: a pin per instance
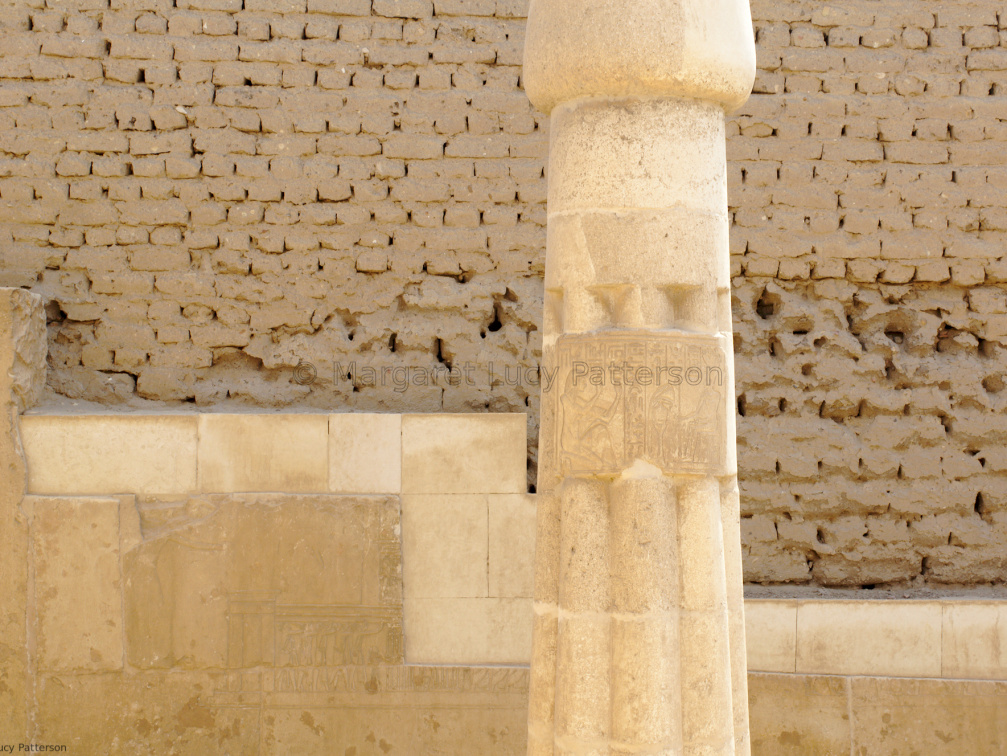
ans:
(799, 715)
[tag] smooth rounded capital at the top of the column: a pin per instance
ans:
(699, 50)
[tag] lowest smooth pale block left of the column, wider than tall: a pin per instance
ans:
(469, 632)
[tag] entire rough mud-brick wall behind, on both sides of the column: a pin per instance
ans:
(209, 194)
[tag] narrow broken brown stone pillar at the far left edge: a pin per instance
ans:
(23, 378)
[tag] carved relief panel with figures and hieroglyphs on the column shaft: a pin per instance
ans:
(657, 396)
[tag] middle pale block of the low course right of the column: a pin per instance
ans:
(898, 639)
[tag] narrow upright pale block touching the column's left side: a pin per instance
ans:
(512, 545)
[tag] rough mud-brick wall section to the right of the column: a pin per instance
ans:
(870, 192)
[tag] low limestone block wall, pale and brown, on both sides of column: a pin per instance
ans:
(213, 583)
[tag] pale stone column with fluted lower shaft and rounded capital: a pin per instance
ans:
(640, 634)
